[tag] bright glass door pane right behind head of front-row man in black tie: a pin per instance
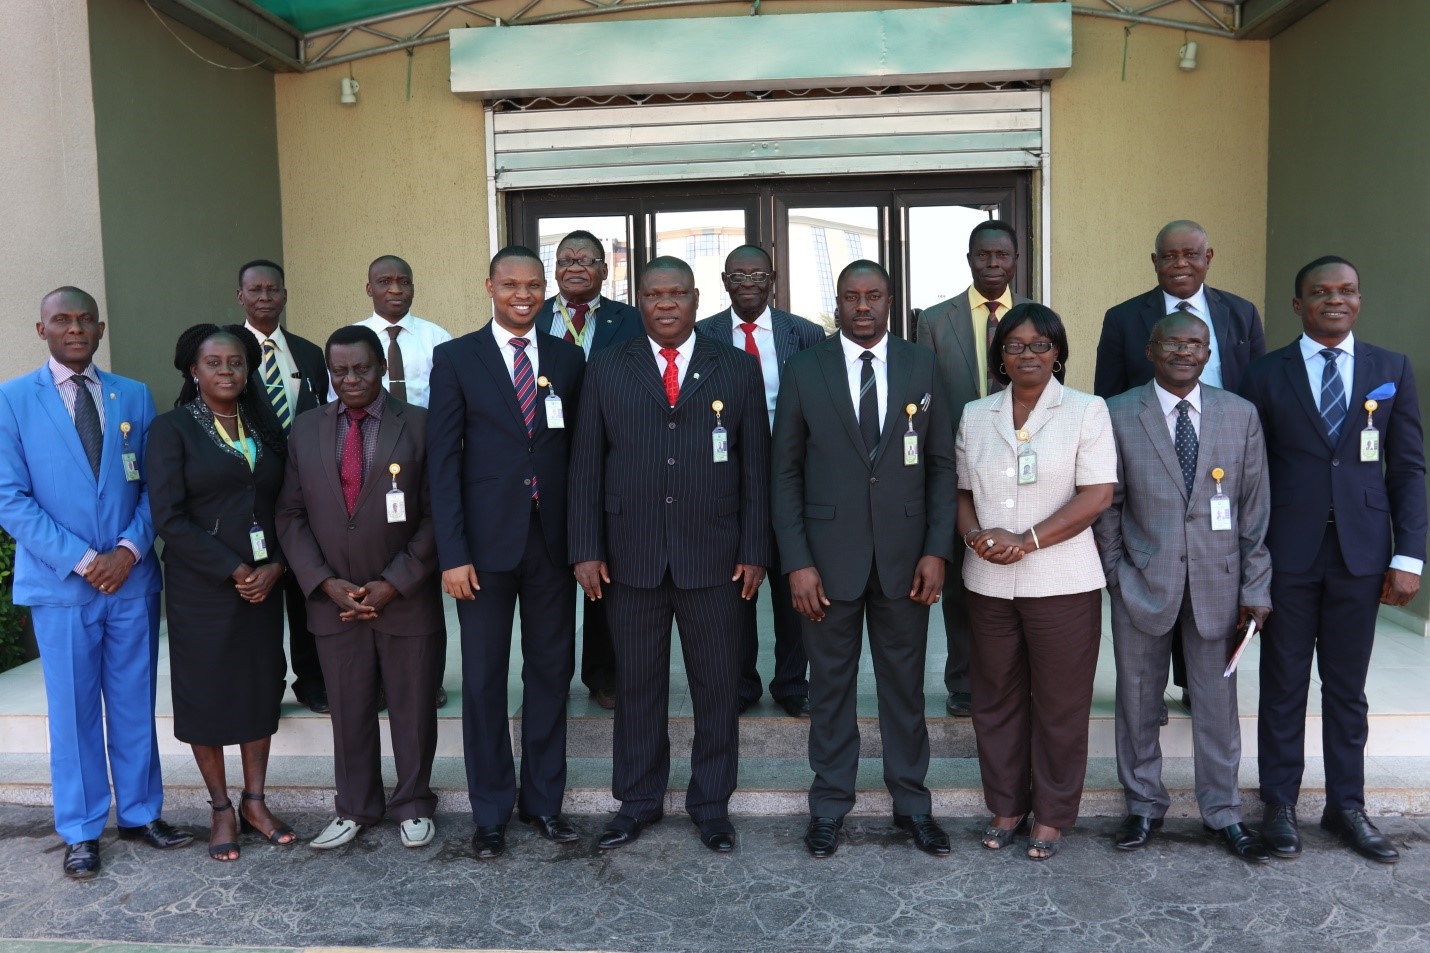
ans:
(822, 244)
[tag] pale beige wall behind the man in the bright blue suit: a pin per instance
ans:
(48, 170)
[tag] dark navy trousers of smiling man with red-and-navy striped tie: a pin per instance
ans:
(548, 616)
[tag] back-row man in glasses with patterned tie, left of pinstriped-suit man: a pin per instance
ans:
(578, 313)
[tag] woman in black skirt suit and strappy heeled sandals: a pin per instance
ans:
(215, 470)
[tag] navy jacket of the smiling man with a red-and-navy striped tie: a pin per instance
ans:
(480, 459)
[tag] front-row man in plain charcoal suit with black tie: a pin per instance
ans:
(864, 500)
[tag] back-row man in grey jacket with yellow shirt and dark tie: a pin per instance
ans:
(959, 331)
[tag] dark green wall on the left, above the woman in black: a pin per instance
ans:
(188, 184)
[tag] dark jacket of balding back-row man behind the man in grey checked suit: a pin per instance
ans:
(1122, 351)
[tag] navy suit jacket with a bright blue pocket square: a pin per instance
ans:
(1309, 476)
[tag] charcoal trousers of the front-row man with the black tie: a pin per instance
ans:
(899, 645)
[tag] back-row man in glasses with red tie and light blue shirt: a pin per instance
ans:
(771, 337)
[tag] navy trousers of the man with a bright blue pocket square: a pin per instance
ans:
(1331, 613)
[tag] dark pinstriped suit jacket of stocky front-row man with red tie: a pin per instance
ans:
(646, 493)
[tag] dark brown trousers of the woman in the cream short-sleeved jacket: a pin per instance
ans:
(1033, 666)
